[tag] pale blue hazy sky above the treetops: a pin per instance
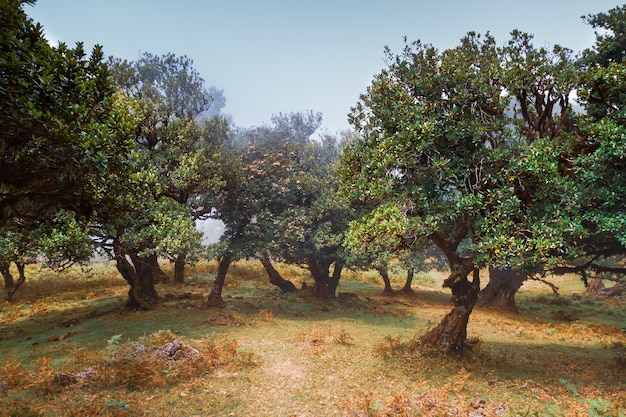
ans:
(281, 56)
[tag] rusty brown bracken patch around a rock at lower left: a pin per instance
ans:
(159, 360)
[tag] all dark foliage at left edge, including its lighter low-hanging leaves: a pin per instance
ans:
(63, 137)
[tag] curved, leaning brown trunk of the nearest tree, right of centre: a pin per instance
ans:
(451, 333)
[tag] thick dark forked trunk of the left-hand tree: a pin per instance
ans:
(140, 275)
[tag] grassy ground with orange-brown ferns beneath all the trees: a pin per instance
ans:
(68, 347)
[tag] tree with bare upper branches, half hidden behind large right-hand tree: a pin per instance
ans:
(540, 82)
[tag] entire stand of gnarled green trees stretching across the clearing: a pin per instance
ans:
(475, 151)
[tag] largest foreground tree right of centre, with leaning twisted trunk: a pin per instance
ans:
(443, 159)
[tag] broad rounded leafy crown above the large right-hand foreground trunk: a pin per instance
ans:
(452, 145)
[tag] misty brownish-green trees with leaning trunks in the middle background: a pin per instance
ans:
(282, 203)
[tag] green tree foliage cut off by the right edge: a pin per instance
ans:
(599, 165)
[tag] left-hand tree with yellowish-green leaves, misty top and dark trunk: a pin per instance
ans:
(177, 165)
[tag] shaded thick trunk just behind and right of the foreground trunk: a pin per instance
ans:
(500, 292)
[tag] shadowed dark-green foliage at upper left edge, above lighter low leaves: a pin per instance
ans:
(56, 121)
